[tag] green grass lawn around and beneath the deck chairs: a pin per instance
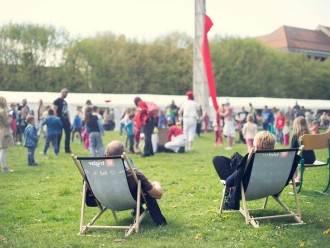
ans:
(40, 206)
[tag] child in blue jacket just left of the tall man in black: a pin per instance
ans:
(54, 129)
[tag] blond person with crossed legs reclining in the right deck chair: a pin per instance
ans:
(231, 169)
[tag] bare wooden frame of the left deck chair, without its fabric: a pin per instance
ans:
(90, 225)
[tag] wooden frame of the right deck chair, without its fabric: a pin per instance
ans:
(246, 212)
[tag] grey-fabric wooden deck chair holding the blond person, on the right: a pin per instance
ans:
(266, 174)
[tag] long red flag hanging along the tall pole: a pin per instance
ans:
(208, 70)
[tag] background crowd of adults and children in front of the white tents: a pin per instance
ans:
(141, 121)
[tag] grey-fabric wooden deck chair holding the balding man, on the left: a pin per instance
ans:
(106, 178)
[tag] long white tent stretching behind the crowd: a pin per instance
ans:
(120, 101)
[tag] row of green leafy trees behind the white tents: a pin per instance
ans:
(45, 58)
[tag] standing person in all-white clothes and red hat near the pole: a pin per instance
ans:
(189, 111)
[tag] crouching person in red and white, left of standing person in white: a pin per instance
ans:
(176, 140)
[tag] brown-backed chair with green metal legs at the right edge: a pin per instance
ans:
(315, 142)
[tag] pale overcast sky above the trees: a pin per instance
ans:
(149, 19)
